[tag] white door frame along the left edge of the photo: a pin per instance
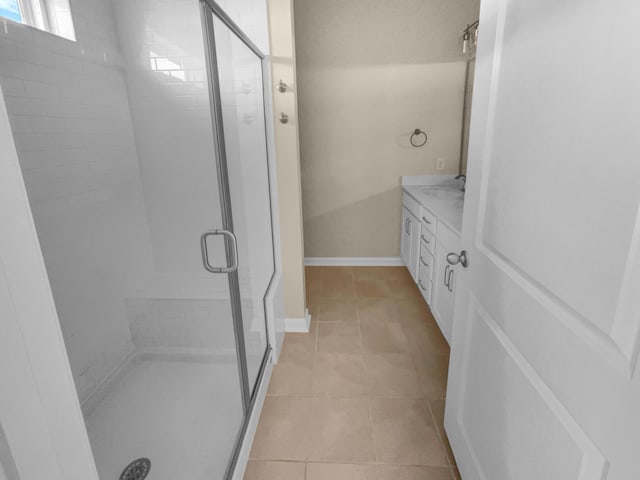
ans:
(42, 430)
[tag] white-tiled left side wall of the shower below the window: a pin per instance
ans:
(70, 117)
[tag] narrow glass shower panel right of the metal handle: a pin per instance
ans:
(238, 83)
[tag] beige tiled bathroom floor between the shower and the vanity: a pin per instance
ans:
(360, 397)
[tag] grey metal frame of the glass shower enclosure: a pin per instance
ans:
(209, 9)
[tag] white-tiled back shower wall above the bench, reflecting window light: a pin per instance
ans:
(164, 54)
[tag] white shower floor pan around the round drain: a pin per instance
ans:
(184, 416)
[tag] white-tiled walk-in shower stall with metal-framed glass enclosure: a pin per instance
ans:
(158, 239)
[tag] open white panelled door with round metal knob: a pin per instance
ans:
(543, 381)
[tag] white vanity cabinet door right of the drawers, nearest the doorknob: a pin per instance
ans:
(443, 292)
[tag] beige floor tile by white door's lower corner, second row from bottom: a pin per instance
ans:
(404, 433)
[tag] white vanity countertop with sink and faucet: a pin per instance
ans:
(446, 200)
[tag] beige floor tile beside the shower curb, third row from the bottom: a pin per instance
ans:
(292, 375)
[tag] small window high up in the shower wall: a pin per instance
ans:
(53, 16)
